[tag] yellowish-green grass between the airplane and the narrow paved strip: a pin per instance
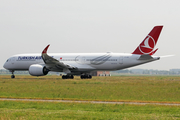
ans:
(122, 88)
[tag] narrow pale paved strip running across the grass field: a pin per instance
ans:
(94, 102)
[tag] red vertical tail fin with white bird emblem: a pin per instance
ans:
(148, 44)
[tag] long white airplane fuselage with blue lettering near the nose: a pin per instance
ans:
(85, 62)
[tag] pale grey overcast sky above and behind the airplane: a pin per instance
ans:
(70, 26)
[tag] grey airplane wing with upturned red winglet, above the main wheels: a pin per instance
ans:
(52, 63)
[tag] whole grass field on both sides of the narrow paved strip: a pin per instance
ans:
(119, 88)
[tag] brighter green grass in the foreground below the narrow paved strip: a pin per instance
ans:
(84, 111)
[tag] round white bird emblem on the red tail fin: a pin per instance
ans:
(147, 45)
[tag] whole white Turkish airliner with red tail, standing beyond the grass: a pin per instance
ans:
(84, 63)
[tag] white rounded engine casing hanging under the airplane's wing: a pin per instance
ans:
(38, 70)
